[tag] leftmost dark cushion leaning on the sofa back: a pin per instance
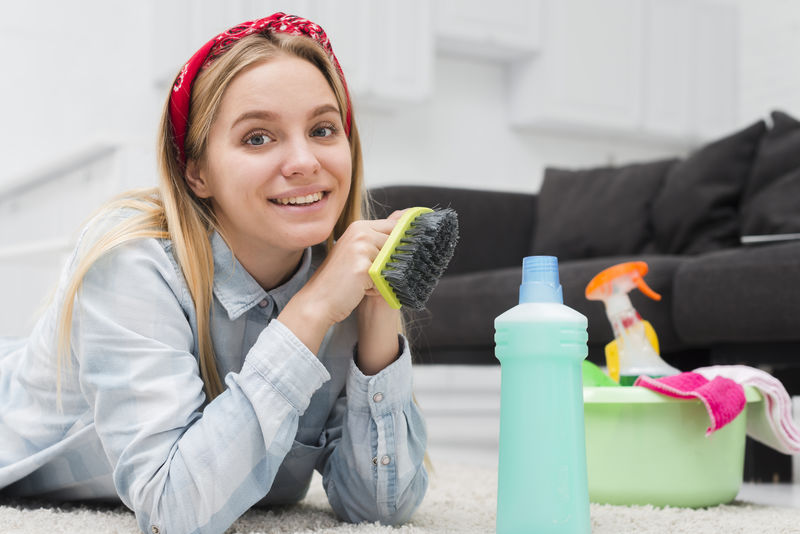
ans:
(597, 212)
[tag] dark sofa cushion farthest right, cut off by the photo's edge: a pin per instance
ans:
(771, 200)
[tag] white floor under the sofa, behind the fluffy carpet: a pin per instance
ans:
(462, 408)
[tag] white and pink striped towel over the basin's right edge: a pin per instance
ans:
(773, 425)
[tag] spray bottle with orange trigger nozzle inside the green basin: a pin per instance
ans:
(635, 342)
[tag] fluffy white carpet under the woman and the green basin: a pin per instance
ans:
(461, 499)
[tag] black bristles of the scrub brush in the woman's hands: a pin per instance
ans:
(422, 257)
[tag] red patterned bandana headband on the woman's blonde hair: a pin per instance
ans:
(278, 23)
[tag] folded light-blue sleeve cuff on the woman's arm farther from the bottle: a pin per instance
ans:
(285, 363)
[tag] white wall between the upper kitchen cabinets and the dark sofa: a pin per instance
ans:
(462, 137)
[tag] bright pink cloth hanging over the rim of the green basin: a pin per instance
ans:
(723, 398)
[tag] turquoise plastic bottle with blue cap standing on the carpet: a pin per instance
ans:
(542, 483)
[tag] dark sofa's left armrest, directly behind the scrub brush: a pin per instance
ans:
(495, 228)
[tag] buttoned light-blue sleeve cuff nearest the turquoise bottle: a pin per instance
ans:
(386, 392)
